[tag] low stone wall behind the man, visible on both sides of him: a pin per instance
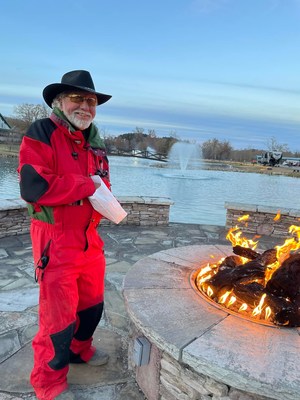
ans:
(147, 211)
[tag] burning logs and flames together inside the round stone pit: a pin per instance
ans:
(261, 286)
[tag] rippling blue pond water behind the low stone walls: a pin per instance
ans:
(198, 194)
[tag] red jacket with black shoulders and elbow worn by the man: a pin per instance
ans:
(55, 168)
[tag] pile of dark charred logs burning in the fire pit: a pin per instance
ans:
(247, 284)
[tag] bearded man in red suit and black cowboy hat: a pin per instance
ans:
(61, 159)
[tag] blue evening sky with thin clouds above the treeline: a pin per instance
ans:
(197, 69)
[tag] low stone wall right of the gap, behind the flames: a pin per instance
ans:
(262, 219)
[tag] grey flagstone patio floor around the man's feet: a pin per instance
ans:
(124, 246)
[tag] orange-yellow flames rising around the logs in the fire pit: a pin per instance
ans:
(260, 309)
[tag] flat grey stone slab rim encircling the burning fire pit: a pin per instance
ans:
(164, 307)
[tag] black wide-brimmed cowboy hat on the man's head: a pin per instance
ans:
(73, 80)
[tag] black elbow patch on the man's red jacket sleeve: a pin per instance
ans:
(32, 185)
